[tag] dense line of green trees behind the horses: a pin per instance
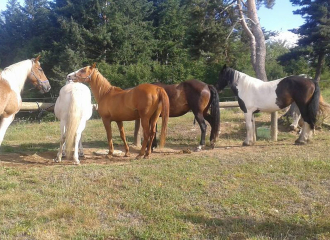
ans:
(137, 41)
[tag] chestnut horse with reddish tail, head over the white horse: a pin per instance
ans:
(145, 102)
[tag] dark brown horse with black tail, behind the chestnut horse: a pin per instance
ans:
(198, 97)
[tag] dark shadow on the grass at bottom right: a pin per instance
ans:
(241, 227)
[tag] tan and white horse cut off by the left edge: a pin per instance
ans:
(12, 80)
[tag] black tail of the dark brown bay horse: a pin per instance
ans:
(215, 113)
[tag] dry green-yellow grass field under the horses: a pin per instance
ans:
(273, 190)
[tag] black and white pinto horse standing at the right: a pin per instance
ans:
(255, 95)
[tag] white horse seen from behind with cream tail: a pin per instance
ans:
(73, 108)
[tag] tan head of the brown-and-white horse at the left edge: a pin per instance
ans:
(38, 77)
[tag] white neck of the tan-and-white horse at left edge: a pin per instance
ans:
(16, 75)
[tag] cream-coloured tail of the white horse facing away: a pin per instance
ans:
(73, 121)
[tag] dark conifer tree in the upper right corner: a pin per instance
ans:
(315, 32)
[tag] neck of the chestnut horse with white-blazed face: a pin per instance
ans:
(99, 85)
